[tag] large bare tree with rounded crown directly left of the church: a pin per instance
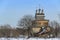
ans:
(26, 23)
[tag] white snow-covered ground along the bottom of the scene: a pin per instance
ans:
(29, 39)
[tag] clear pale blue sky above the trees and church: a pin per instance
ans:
(12, 10)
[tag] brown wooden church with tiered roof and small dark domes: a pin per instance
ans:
(40, 26)
